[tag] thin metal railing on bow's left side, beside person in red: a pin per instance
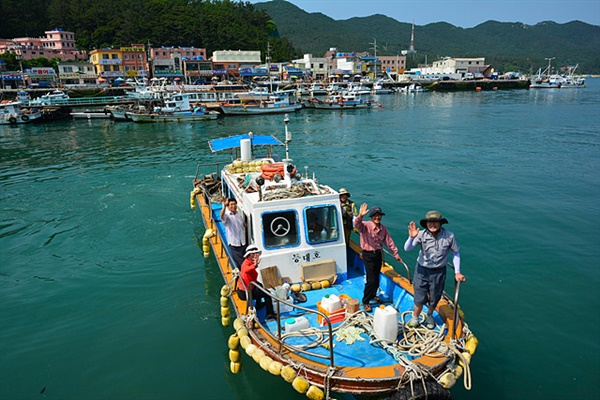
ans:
(279, 339)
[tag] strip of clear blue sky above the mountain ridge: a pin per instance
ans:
(465, 14)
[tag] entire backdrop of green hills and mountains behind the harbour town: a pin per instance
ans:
(290, 31)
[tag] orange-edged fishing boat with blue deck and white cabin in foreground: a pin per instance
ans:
(319, 340)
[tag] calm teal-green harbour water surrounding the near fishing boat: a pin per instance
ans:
(105, 293)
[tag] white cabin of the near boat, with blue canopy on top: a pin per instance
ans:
(295, 221)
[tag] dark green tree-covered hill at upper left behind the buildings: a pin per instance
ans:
(214, 25)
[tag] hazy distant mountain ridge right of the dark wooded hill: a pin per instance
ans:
(506, 46)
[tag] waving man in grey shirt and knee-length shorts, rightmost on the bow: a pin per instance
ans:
(430, 273)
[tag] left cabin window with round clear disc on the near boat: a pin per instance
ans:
(280, 229)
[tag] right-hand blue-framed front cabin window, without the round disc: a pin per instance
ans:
(321, 224)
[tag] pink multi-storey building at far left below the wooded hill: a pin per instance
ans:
(55, 44)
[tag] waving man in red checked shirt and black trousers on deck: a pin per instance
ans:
(373, 234)
